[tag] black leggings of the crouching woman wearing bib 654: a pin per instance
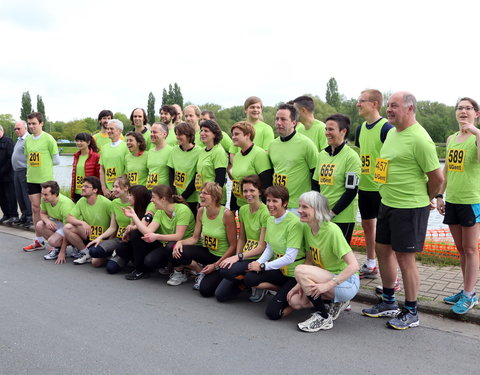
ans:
(201, 255)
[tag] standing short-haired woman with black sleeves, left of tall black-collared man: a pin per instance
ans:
(250, 159)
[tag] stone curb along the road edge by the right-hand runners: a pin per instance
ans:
(427, 307)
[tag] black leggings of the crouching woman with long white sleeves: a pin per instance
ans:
(278, 303)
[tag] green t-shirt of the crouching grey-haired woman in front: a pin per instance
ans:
(327, 247)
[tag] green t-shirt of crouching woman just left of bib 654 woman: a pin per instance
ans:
(182, 215)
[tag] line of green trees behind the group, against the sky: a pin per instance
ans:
(437, 118)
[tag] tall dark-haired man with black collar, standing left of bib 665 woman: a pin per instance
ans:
(293, 156)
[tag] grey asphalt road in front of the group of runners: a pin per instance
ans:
(67, 319)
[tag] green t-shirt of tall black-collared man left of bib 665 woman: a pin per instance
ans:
(292, 161)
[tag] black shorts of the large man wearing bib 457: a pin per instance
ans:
(403, 228)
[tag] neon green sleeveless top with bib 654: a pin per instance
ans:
(215, 237)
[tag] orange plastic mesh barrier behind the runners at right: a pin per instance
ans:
(438, 242)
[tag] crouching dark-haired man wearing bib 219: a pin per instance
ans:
(89, 218)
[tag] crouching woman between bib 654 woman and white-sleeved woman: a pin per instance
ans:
(253, 218)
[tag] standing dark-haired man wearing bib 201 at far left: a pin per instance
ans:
(42, 153)
